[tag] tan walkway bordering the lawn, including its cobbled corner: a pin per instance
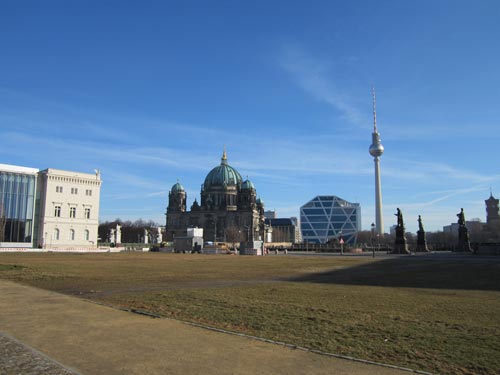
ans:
(37, 326)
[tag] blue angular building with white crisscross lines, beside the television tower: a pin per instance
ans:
(328, 217)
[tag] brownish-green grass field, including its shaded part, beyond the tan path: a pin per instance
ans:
(434, 313)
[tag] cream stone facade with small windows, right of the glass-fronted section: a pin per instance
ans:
(69, 208)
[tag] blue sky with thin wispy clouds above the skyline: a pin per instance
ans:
(150, 92)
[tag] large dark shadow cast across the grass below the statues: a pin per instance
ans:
(429, 271)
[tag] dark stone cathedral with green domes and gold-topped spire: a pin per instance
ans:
(229, 210)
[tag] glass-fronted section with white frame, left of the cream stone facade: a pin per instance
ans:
(17, 205)
